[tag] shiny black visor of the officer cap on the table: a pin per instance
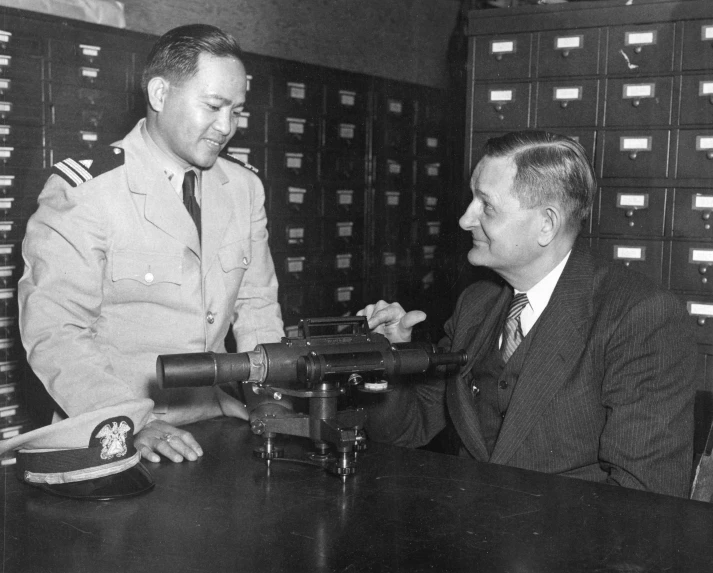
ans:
(134, 481)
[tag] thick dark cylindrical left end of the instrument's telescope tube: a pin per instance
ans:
(201, 369)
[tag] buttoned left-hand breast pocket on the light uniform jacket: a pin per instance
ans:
(146, 277)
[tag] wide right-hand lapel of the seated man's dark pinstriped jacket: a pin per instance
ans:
(558, 336)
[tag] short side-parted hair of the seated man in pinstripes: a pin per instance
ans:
(550, 168)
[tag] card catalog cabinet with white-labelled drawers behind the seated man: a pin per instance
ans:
(634, 84)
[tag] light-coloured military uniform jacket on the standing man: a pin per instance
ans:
(115, 274)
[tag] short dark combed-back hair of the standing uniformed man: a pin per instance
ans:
(174, 56)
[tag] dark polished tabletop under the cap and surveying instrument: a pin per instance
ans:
(404, 510)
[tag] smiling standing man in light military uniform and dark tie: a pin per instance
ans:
(156, 245)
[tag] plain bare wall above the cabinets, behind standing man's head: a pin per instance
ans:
(399, 39)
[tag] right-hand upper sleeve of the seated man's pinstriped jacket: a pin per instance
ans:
(648, 395)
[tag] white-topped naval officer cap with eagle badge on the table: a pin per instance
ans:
(89, 456)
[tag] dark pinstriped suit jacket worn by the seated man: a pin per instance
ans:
(605, 392)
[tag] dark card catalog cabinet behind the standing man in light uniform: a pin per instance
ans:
(68, 86)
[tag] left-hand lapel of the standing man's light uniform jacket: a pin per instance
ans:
(163, 207)
